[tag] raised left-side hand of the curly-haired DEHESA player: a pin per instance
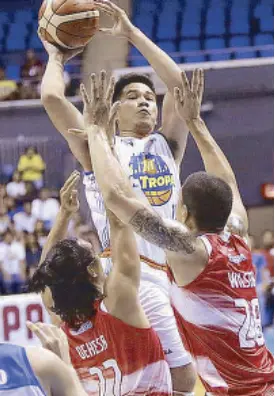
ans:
(69, 195)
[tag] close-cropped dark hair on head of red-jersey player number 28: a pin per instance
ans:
(208, 200)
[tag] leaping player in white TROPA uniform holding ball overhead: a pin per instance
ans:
(150, 159)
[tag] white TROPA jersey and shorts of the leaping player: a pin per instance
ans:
(154, 176)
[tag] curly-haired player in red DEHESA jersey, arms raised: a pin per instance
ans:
(112, 346)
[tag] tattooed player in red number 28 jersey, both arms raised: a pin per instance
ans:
(213, 287)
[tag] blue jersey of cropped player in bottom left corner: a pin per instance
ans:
(16, 374)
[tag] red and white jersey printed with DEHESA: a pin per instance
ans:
(114, 358)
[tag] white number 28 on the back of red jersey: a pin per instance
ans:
(250, 334)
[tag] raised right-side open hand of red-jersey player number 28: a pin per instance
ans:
(188, 99)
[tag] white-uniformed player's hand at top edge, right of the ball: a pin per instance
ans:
(122, 25)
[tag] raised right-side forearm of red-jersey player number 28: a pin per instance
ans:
(215, 161)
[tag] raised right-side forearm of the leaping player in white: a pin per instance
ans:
(167, 70)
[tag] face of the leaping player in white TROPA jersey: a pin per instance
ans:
(138, 113)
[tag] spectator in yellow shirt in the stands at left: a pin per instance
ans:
(32, 167)
